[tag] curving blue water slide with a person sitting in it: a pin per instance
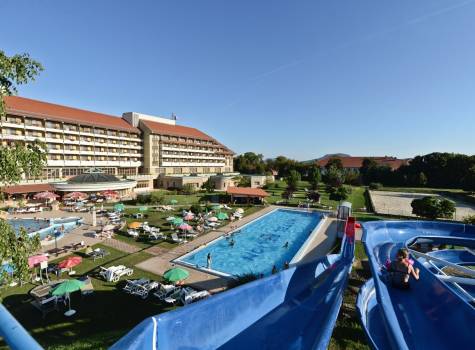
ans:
(431, 314)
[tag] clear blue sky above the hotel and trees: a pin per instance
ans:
(297, 78)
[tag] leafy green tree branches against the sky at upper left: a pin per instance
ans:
(15, 70)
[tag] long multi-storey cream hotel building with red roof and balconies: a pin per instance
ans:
(144, 148)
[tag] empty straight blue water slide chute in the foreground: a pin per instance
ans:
(294, 309)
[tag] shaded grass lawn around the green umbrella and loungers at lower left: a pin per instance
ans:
(102, 318)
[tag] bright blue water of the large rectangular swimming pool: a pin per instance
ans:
(259, 245)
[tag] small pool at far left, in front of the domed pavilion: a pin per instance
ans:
(45, 227)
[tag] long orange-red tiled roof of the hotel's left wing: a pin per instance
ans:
(24, 106)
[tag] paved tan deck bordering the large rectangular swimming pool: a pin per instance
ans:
(199, 279)
